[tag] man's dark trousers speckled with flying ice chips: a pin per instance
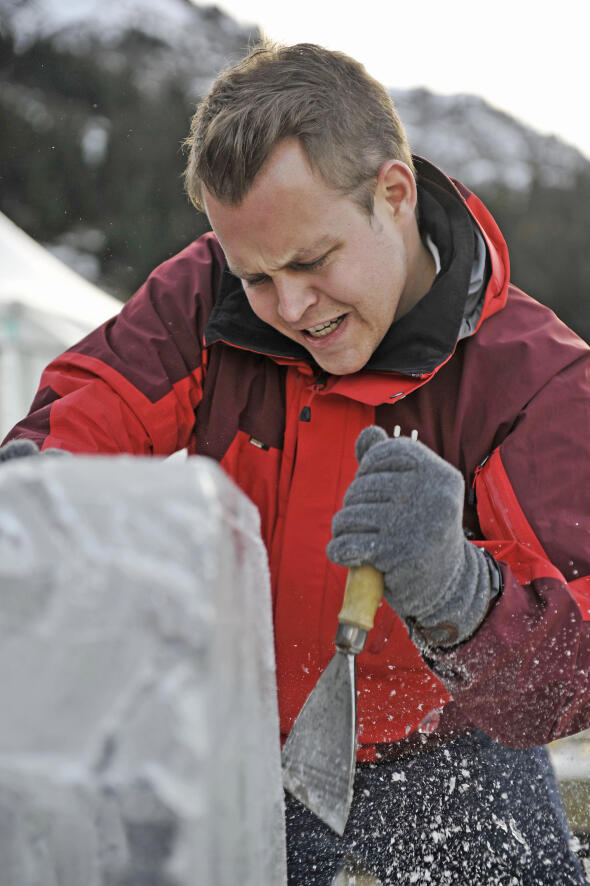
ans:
(469, 813)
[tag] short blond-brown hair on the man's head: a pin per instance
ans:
(344, 119)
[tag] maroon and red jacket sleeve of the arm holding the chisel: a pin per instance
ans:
(523, 678)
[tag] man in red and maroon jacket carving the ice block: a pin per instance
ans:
(350, 288)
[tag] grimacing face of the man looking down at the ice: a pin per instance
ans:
(313, 264)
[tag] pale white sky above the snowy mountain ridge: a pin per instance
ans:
(530, 59)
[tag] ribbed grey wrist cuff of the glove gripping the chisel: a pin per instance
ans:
(479, 582)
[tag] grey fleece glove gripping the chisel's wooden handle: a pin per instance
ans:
(403, 515)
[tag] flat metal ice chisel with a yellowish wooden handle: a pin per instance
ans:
(320, 753)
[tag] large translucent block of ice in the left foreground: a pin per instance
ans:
(139, 739)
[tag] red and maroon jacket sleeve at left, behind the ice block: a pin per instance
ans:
(133, 384)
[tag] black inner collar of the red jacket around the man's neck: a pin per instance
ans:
(422, 339)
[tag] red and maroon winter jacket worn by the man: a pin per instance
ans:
(503, 394)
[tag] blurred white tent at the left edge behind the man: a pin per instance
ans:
(44, 308)
